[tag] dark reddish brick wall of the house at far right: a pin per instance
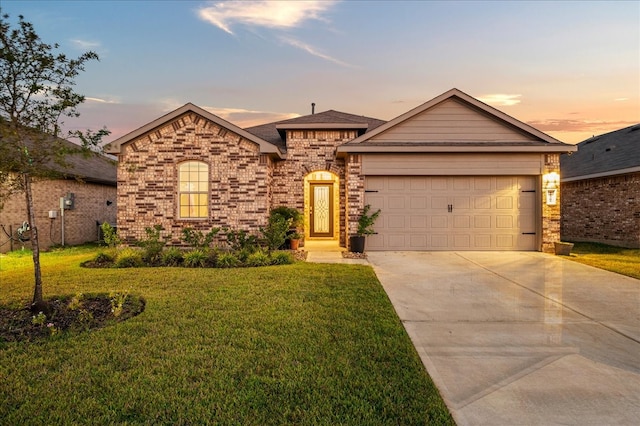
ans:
(604, 210)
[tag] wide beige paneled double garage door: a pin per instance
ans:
(453, 212)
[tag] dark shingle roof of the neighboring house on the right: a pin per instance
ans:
(613, 153)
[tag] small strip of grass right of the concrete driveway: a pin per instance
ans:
(615, 259)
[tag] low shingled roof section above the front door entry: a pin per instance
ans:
(275, 133)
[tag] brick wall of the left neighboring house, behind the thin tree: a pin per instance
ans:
(80, 223)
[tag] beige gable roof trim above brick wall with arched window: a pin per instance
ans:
(116, 146)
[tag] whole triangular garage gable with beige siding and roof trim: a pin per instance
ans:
(435, 129)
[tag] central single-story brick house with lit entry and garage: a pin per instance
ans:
(451, 174)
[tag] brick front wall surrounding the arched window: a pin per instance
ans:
(147, 179)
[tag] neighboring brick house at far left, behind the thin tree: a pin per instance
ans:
(91, 181)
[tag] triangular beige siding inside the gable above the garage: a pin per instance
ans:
(451, 121)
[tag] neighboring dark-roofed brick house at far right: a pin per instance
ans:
(601, 189)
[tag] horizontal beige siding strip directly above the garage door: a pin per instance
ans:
(452, 164)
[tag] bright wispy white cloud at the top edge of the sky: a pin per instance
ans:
(270, 14)
